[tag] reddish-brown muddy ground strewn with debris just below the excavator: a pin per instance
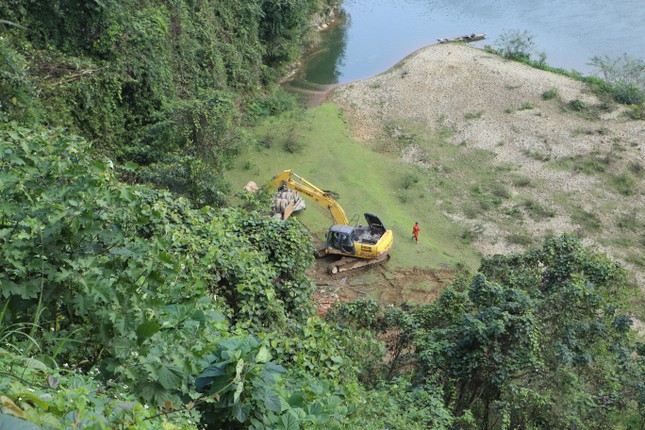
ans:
(389, 286)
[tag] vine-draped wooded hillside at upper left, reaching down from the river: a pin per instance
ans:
(163, 84)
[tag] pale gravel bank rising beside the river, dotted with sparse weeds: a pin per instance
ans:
(493, 104)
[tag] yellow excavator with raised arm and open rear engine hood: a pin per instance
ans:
(358, 245)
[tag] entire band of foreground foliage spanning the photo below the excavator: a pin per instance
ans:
(206, 316)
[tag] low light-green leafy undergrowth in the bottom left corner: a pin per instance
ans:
(38, 396)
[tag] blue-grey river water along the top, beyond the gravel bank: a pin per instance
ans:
(376, 34)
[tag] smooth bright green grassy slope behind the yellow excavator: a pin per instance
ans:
(366, 181)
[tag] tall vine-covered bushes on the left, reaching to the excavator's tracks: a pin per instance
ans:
(138, 287)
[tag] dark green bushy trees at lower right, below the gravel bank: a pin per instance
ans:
(536, 340)
